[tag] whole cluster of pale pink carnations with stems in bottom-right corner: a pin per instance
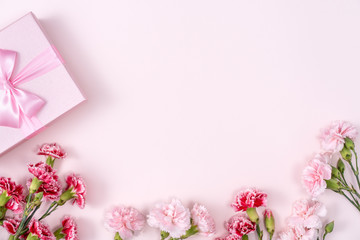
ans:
(337, 141)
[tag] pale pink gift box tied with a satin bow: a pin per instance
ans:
(52, 91)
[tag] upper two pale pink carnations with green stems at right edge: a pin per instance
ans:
(337, 141)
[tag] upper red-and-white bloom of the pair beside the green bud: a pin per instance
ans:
(250, 198)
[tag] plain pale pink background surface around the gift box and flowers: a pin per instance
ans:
(197, 99)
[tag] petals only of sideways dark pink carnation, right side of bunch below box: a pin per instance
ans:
(77, 184)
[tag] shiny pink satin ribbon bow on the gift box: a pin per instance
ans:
(18, 108)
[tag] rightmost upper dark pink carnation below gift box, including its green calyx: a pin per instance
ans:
(76, 189)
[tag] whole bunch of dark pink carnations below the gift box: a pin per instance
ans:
(43, 186)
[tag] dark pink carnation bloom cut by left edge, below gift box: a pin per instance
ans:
(16, 193)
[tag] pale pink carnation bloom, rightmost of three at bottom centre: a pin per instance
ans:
(203, 220)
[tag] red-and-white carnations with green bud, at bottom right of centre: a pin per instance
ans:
(247, 221)
